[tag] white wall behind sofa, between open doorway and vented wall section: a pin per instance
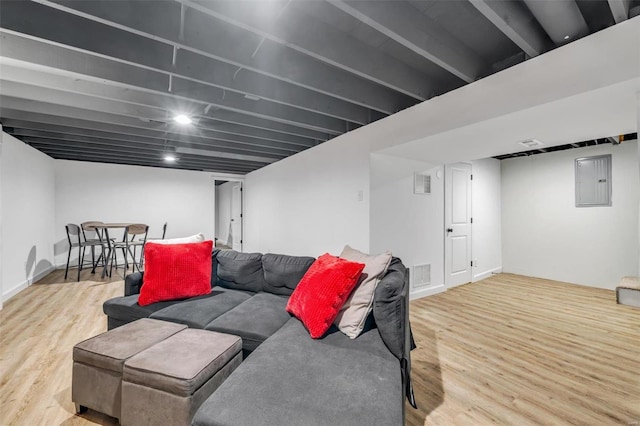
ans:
(308, 204)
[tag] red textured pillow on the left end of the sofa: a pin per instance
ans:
(175, 271)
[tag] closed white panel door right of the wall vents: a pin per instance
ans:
(457, 220)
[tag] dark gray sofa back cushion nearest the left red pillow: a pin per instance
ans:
(240, 271)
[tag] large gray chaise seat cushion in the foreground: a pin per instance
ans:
(292, 379)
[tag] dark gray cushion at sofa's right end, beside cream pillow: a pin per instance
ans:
(389, 308)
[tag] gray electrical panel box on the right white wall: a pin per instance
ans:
(593, 181)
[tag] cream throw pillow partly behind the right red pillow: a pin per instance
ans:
(354, 312)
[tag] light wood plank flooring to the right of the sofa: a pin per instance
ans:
(523, 351)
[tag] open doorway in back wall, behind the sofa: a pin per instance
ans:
(229, 214)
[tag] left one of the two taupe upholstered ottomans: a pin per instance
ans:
(98, 362)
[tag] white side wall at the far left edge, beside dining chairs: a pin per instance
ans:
(28, 205)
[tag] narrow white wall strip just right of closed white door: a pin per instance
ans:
(486, 203)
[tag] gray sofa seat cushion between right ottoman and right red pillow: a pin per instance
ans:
(254, 320)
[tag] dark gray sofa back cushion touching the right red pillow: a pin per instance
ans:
(282, 273)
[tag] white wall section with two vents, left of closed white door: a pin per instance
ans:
(410, 225)
